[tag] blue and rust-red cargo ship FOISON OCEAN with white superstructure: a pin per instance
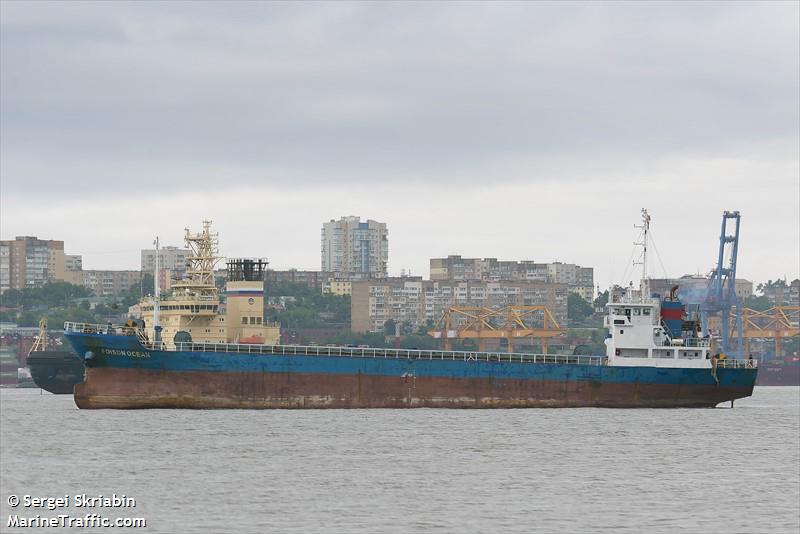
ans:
(654, 358)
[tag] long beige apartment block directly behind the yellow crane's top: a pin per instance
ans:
(418, 301)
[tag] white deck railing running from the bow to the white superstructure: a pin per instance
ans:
(353, 352)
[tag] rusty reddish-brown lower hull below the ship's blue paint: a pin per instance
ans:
(139, 388)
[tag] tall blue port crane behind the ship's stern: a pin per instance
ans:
(721, 291)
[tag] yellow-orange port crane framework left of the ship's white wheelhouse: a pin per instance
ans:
(512, 323)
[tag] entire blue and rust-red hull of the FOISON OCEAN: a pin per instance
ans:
(124, 374)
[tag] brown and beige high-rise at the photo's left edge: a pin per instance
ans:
(30, 262)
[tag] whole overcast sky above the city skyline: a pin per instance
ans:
(510, 130)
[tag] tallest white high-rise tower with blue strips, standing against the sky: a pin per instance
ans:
(354, 250)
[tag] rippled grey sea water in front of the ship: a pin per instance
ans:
(409, 471)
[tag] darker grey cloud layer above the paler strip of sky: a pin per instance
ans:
(355, 92)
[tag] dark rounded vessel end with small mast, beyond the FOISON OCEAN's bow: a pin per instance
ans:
(56, 371)
